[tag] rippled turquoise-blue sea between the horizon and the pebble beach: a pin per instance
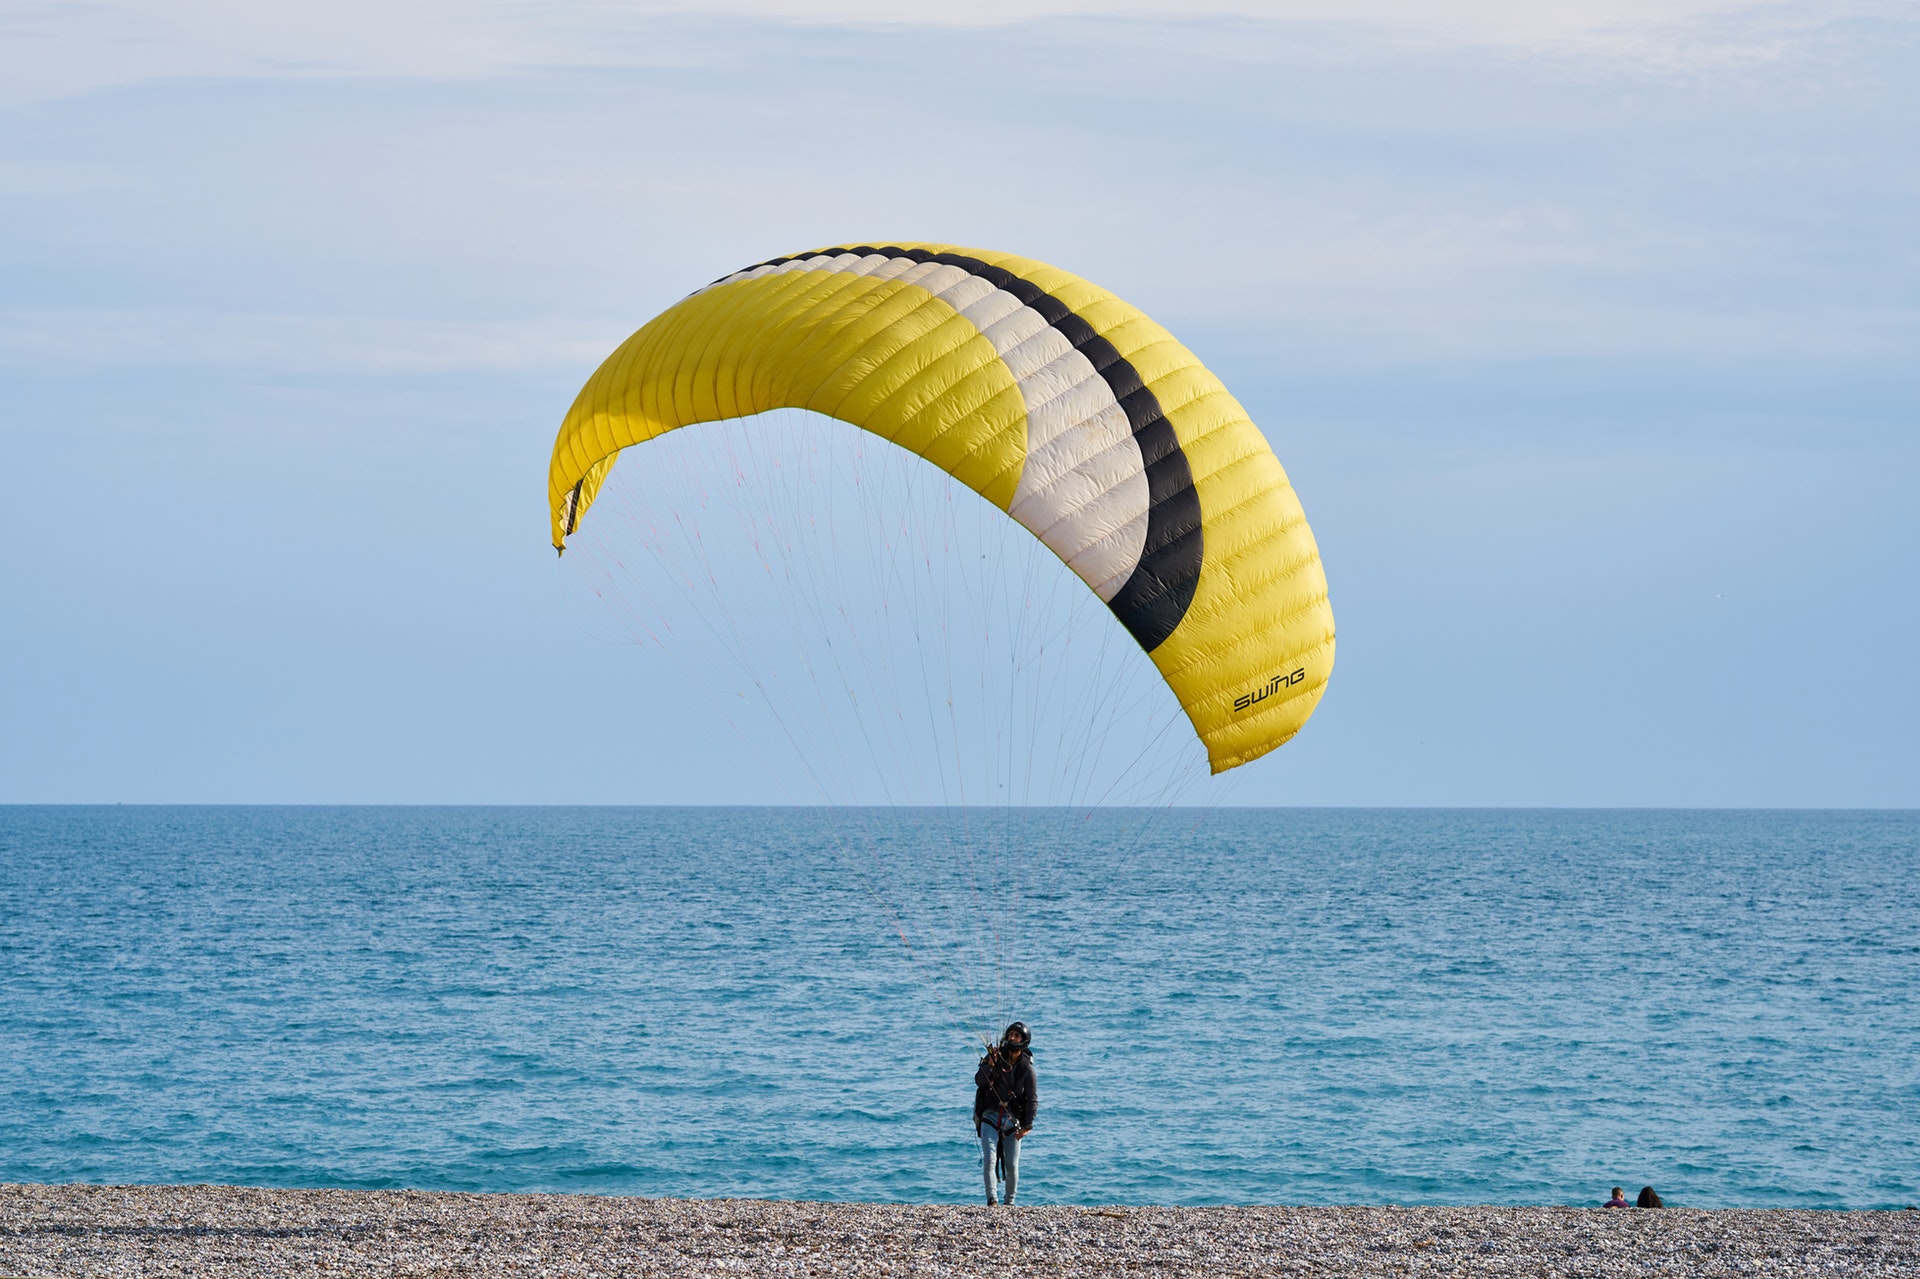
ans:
(1228, 1007)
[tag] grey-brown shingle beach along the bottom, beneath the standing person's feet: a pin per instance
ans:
(201, 1230)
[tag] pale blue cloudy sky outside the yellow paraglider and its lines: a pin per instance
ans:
(1587, 333)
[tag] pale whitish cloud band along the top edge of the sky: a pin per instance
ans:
(51, 51)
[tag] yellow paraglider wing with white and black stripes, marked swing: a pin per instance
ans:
(1045, 395)
